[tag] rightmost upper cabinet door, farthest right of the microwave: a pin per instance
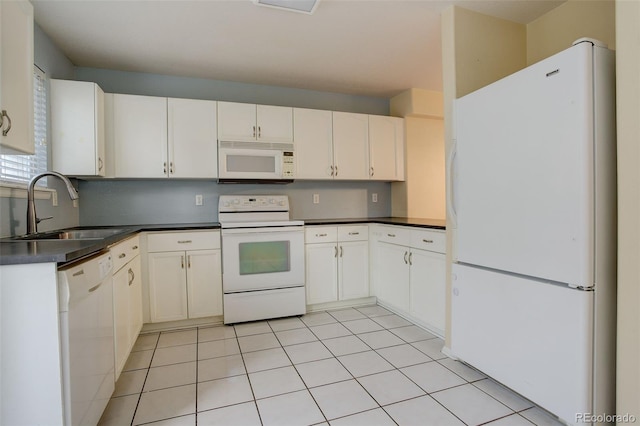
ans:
(386, 147)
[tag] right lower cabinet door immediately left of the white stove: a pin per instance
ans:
(204, 283)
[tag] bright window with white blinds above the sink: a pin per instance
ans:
(21, 168)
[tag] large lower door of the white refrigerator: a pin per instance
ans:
(526, 335)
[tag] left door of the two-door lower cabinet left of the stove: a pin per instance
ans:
(167, 286)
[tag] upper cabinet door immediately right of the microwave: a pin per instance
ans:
(313, 139)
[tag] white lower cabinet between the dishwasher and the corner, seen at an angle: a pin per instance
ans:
(127, 299)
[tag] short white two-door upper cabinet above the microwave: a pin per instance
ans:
(250, 122)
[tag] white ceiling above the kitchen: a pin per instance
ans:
(362, 47)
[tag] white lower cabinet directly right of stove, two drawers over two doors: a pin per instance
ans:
(337, 263)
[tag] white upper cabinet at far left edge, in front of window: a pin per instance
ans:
(16, 77)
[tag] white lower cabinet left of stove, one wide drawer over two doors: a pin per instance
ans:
(185, 275)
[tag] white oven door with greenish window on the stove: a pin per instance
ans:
(262, 258)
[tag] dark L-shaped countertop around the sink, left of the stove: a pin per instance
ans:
(64, 251)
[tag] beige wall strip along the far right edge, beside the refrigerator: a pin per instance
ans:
(628, 123)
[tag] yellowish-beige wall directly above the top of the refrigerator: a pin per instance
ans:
(558, 29)
